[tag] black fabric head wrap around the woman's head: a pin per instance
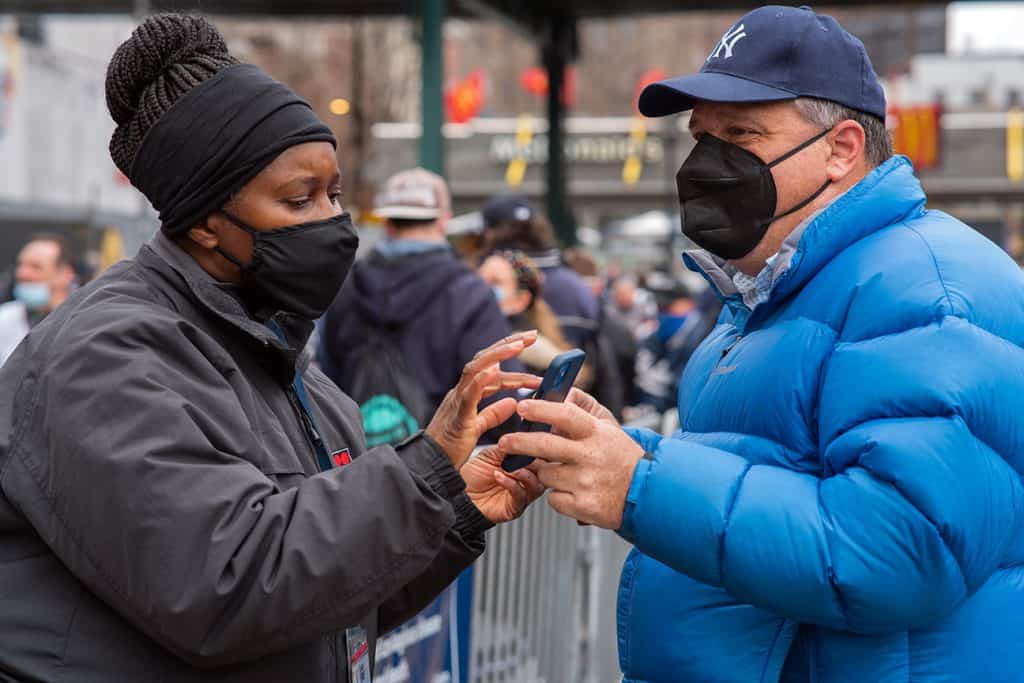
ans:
(216, 140)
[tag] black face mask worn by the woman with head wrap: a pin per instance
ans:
(297, 269)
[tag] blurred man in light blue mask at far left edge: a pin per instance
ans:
(44, 279)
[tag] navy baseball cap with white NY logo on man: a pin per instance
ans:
(777, 54)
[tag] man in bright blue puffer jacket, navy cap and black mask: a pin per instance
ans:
(844, 502)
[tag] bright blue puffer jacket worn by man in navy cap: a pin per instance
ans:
(844, 503)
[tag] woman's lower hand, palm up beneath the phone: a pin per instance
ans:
(501, 497)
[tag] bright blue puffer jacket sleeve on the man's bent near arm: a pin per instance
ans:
(917, 506)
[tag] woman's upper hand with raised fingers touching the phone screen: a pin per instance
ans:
(457, 426)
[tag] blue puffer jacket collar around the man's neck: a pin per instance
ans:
(888, 195)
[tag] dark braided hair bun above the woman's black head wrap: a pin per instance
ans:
(166, 57)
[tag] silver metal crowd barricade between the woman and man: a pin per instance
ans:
(544, 600)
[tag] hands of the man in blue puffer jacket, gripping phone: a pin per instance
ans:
(587, 459)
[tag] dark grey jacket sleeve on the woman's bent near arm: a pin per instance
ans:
(134, 460)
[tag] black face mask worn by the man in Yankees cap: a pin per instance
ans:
(728, 196)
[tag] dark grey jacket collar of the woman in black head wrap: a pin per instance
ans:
(221, 301)
